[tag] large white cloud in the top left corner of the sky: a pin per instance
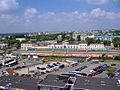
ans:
(8, 5)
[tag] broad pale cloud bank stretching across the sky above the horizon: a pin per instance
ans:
(33, 21)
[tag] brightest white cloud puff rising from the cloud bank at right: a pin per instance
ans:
(97, 12)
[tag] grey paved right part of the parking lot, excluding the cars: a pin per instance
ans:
(87, 70)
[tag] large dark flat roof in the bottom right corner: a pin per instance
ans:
(91, 83)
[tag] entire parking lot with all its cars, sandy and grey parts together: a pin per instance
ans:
(86, 68)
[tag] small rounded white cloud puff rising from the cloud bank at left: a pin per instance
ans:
(30, 12)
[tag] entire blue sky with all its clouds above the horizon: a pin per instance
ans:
(17, 16)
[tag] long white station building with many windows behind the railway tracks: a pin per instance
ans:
(29, 46)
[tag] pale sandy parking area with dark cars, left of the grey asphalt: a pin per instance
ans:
(43, 68)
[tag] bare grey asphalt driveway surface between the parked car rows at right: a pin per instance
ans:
(87, 70)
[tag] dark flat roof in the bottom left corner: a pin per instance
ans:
(26, 83)
